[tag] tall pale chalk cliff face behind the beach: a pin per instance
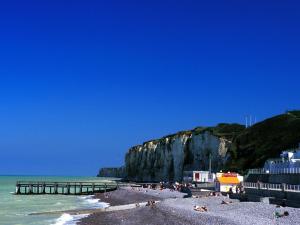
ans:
(166, 159)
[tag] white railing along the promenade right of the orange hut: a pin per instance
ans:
(275, 187)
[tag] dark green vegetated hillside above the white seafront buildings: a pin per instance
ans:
(266, 139)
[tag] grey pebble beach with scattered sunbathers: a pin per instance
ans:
(174, 209)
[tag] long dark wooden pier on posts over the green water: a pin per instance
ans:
(63, 188)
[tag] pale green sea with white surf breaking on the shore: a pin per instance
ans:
(16, 209)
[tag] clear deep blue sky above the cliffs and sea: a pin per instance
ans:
(82, 81)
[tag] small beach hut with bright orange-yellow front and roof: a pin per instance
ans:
(228, 182)
